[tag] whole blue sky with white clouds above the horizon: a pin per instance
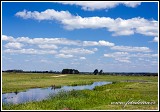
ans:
(108, 36)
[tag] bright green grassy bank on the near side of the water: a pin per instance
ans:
(98, 99)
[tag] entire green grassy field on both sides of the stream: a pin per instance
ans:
(143, 88)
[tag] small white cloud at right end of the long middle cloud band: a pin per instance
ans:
(99, 43)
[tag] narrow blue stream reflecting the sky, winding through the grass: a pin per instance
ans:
(38, 94)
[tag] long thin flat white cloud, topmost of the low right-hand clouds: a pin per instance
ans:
(131, 49)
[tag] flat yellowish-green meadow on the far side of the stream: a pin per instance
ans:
(12, 82)
